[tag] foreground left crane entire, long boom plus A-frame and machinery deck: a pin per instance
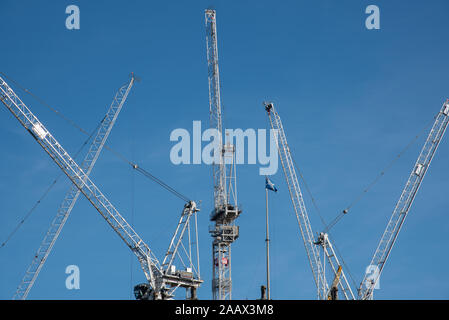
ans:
(158, 284)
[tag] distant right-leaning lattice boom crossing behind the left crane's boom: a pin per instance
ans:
(73, 193)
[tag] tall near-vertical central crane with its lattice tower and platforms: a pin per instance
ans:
(226, 210)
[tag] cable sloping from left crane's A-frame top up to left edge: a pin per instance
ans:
(134, 165)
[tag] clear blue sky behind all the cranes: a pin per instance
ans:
(350, 99)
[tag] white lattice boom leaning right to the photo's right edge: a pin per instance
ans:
(405, 202)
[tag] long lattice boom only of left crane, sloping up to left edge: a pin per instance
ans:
(149, 263)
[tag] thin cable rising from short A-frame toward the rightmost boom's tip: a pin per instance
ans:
(361, 195)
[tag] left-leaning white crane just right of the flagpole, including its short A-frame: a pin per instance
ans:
(311, 245)
